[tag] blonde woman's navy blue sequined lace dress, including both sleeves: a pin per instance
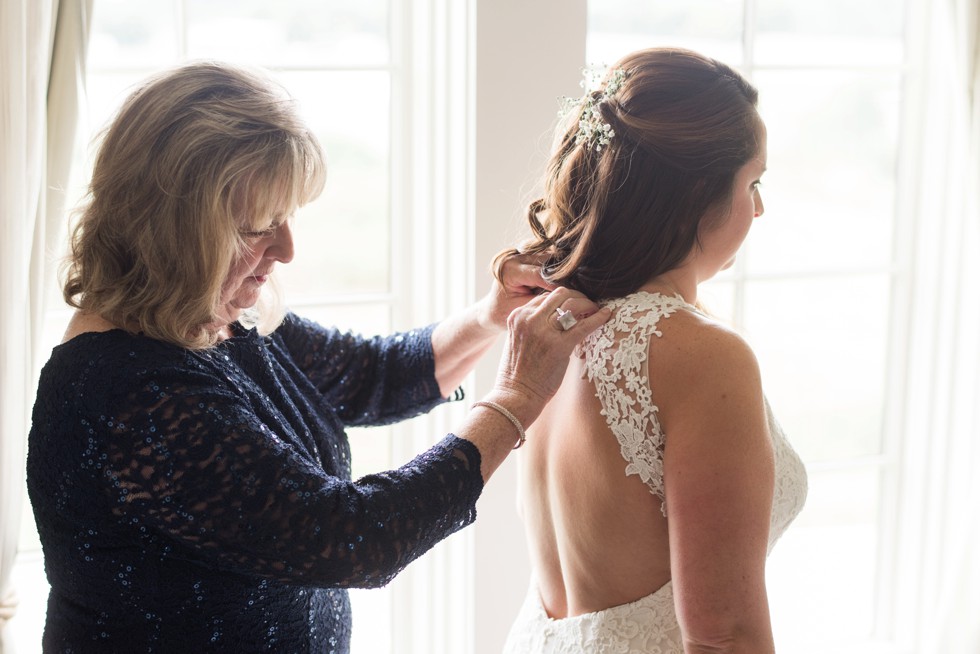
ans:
(201, 501)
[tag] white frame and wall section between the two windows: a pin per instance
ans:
(489, 74)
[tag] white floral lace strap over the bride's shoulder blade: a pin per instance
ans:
(616, 362)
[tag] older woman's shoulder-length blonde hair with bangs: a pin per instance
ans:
(195, 157)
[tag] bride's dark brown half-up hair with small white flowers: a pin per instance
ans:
(637, 166)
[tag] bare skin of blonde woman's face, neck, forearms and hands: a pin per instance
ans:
(523, 305)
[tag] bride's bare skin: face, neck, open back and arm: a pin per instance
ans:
(598, 538)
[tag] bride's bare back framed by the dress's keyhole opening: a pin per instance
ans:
(597, 537)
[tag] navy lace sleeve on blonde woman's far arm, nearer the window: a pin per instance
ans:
(369, 381)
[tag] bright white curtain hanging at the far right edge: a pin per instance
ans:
(954, 627)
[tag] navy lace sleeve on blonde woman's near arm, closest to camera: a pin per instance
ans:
(190, 467)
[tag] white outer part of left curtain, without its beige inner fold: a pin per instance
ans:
(23, 72)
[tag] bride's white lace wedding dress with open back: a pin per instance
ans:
(616, 357)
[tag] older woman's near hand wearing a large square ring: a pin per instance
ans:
(534, 360)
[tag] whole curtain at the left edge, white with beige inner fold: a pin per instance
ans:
(42, 55)
